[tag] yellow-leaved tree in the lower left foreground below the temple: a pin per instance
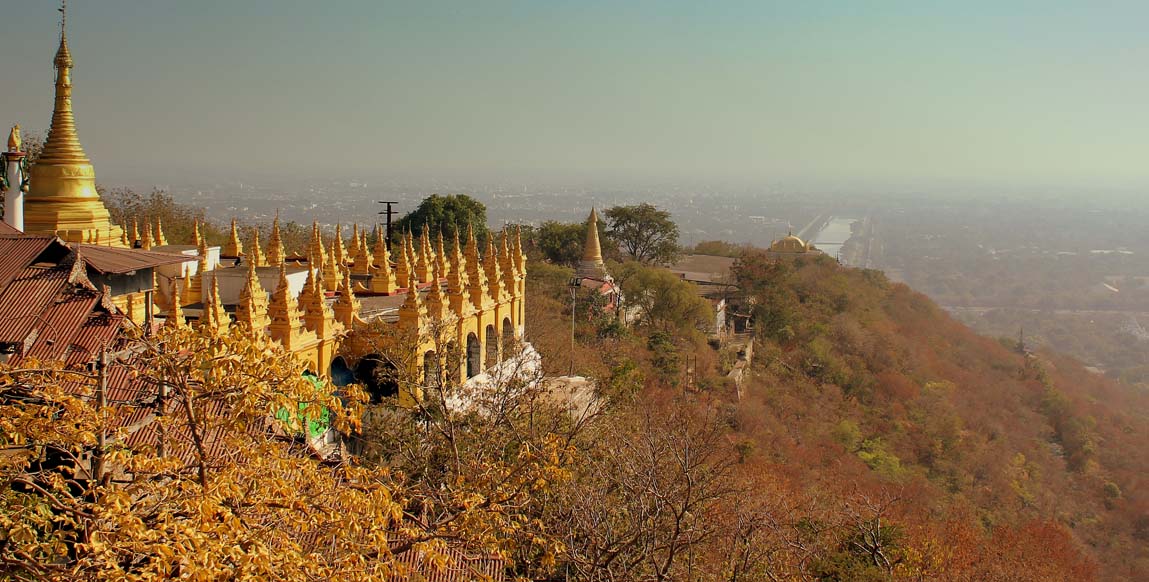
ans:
(222, 484)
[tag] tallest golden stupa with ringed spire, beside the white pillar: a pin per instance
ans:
(63, 198)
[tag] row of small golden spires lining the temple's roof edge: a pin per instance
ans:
(474, 284)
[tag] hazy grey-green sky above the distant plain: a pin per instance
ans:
(1036, 92)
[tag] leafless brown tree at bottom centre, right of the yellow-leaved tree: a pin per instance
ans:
(646, 500)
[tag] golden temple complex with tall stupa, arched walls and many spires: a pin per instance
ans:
(451, 311)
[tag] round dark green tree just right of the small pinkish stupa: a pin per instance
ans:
(644, 232)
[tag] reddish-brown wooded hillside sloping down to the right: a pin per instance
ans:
(878, 438)
